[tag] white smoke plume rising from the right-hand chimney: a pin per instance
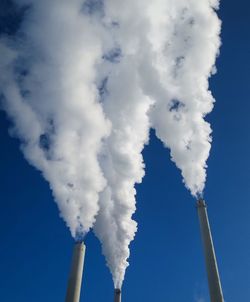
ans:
(185, 52)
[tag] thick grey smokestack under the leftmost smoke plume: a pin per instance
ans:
(75, 278)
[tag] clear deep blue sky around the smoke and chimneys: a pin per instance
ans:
(166, 262)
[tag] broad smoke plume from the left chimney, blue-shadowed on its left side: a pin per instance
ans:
(48, 82)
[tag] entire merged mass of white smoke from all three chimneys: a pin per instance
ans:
(84, 81)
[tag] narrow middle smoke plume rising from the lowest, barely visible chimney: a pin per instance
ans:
(127, 107)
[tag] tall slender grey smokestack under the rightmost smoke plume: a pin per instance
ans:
(215, 289)
